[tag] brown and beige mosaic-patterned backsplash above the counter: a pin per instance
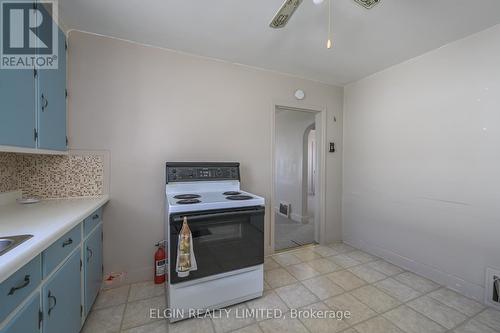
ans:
(52, 176)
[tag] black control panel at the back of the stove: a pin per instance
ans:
(190, 172)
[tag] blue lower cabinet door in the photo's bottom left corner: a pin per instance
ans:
(27, 319)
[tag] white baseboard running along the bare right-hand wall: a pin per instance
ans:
(453, 282)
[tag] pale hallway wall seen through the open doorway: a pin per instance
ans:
(290, 130)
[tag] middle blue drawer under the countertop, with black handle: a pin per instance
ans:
(61, 249)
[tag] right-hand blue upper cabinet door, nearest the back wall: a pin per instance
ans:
(51, 110)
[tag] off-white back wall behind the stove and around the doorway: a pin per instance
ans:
(148, 105)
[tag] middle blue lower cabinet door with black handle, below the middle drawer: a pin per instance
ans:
(61, 298)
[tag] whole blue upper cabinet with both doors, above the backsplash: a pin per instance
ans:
(33, 103)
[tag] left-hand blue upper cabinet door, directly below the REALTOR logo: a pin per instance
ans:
(17, 105)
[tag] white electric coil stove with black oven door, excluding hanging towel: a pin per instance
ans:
(227, 226)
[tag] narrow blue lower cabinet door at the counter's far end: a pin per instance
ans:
(92, 266)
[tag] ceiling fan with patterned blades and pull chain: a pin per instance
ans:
(288, 8)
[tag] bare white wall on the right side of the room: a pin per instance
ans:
(422, 161)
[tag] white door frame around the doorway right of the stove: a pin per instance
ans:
(321, 122)
